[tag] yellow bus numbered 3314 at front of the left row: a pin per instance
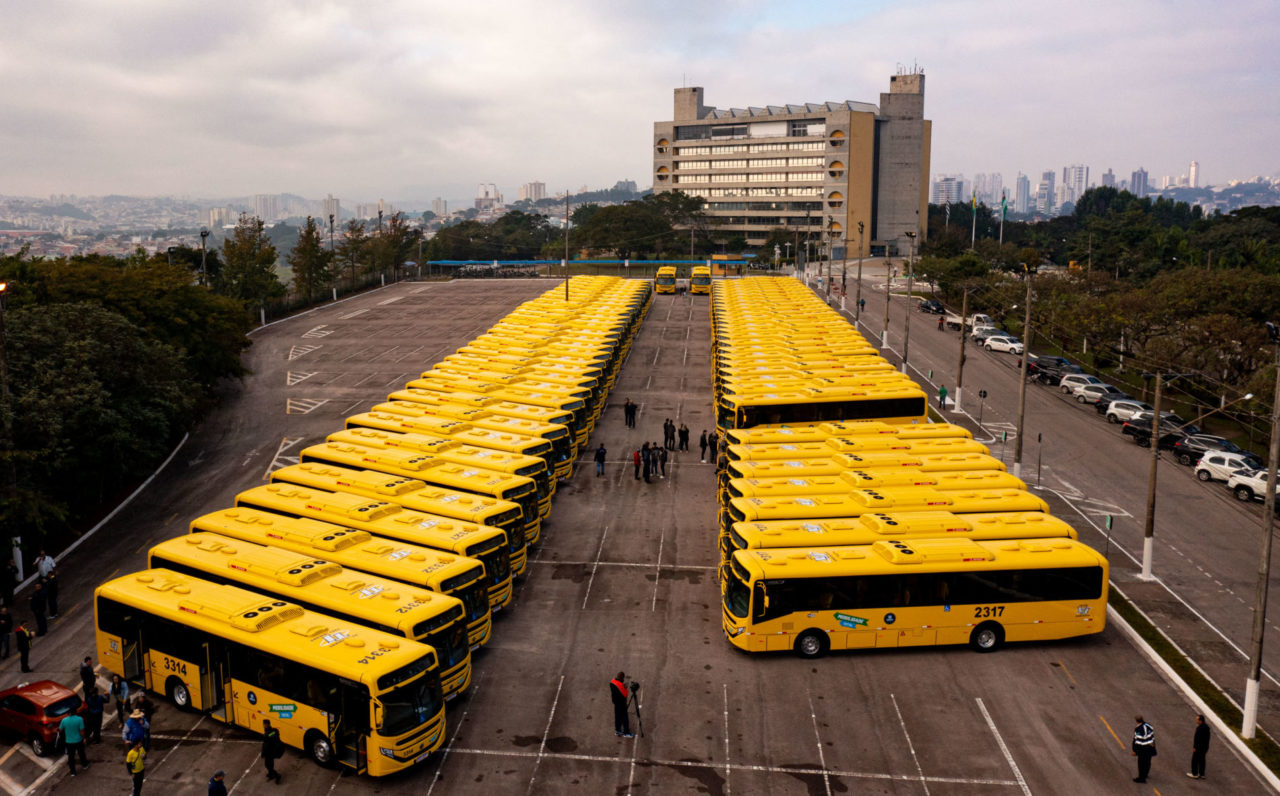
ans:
(345, 694)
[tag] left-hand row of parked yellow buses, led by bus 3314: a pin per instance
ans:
(342, 602)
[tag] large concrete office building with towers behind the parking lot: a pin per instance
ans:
(817, 170)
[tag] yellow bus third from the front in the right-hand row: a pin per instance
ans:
(860, 502)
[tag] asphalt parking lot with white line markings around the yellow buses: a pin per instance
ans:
(625, 580)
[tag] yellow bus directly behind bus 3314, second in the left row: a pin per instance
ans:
(326, 588)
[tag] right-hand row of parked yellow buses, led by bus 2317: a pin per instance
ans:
(848, 520)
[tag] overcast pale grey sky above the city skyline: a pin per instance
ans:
(409, 100)
